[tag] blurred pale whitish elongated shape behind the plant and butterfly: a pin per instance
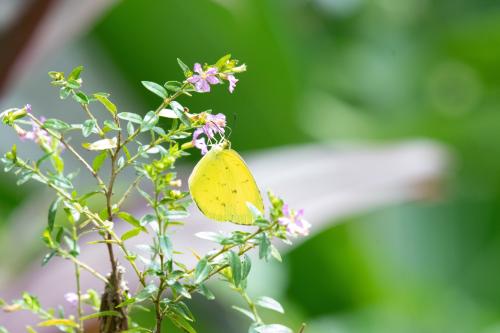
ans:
(329, 181)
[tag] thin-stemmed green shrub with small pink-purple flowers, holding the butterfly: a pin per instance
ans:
(166, 284)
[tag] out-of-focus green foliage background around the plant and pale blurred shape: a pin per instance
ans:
(374, 71)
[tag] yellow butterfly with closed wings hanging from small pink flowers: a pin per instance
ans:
(221, 185)
